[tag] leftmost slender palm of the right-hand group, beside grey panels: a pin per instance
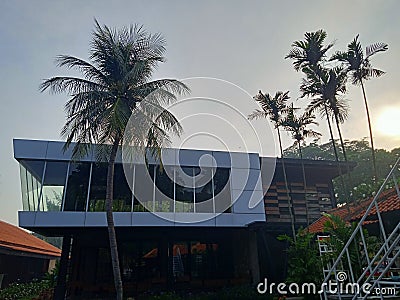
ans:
(274, 108)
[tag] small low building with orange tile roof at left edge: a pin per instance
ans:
(19, 249)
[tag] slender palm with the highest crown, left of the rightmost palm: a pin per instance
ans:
(309, 56)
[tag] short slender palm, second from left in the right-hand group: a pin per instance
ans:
(297, 126)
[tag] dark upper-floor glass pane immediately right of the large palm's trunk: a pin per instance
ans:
(122, 192)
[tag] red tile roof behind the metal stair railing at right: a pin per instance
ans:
(388, 201)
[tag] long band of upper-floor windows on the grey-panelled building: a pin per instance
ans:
(81, 186)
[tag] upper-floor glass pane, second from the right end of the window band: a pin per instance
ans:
(203, 190)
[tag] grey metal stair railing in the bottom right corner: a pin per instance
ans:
(377, 264)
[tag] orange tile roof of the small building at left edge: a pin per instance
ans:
(14, 238)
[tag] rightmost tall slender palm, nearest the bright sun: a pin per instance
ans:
(359, 67)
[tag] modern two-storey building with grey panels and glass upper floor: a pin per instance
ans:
(170, 234)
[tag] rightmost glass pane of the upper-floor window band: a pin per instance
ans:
(222, 192)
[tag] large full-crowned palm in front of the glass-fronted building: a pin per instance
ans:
(115, 83)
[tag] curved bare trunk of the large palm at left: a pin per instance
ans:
(110, 222)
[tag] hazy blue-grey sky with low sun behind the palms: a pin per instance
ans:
(240, 42)
